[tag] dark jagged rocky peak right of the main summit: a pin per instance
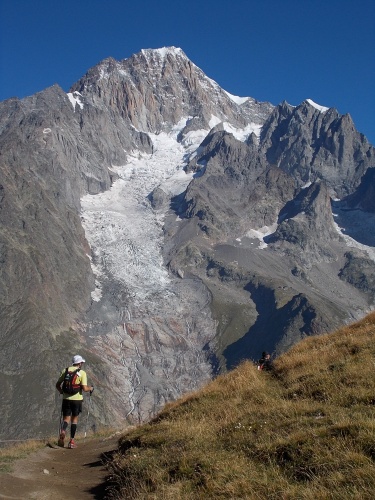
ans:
(329, 147)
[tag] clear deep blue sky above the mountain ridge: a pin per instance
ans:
(267, 49)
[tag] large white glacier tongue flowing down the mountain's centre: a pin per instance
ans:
(124, 232)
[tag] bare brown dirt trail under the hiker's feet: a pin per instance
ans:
(54, 473)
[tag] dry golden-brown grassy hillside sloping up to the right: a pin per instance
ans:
(306, 431)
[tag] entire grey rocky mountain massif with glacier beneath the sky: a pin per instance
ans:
(166, 230)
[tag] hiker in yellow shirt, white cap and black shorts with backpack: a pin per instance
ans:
(71, 383)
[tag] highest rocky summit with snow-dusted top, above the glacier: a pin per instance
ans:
(157, 88)
